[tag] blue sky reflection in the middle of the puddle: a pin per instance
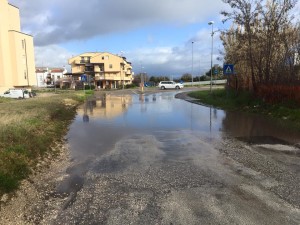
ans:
(164, 112)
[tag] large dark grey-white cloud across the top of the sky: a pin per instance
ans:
(56, 21)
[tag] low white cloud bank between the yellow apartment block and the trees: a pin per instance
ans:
(178, 60)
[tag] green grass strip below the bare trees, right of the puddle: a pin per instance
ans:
(245, 101)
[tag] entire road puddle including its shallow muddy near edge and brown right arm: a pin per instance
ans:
(185, 131)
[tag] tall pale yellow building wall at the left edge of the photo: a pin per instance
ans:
(17, 66)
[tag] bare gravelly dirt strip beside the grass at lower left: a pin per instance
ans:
(15, 208)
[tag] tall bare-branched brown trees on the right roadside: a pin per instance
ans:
(261, 41)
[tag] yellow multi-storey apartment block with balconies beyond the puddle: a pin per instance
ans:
(107, 70)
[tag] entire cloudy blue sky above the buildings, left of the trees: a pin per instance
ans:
(155, 35)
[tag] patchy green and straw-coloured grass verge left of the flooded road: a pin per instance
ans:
(28, 130)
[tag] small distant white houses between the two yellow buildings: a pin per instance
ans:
(47, 77)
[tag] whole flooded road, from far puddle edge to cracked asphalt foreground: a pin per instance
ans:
(155, 159)
